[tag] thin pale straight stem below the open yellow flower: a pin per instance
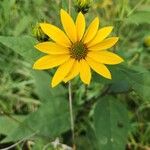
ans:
(71, 114)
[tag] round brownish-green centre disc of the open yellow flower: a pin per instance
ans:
(78, 51)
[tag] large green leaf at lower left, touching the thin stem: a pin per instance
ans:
(49, 121)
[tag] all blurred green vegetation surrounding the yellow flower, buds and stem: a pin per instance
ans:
(106, 112)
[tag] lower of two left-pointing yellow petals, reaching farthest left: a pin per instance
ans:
(50, 61)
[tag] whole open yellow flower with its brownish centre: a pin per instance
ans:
(78, 51)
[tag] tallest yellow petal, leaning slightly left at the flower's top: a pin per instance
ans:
(68, 25)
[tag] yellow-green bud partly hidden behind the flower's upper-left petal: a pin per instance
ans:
(39, 34)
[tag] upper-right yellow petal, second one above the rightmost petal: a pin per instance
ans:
(100, 36)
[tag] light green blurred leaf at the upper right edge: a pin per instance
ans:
(139, 18)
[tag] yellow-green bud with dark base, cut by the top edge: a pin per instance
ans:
(83, 5)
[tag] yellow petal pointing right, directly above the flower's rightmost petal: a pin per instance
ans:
(108, 43)
